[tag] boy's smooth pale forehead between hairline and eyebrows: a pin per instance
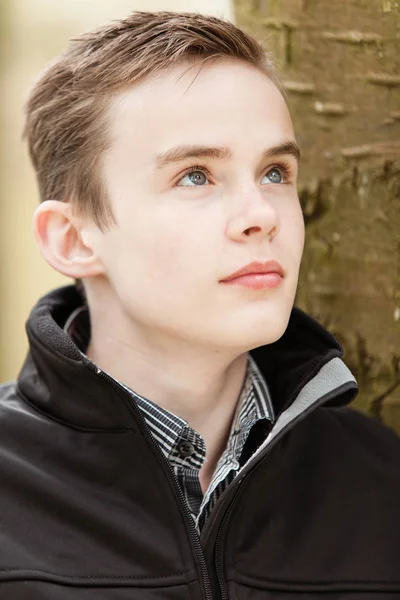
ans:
(214, 103)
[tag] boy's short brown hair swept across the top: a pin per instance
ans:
(65, 126)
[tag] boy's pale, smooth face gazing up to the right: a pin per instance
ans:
(185, 223)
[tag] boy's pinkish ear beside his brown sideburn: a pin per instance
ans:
(58, 232)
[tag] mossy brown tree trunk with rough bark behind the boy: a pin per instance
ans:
(340, 65)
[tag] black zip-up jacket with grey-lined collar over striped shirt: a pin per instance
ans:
(90, 510)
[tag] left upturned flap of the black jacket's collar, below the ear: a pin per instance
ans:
(60, 381)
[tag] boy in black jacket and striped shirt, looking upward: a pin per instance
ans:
(177, 430)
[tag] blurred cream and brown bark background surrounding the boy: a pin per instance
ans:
(340, 65)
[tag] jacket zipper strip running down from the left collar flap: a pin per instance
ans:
(189, 519)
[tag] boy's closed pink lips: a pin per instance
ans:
(257, 276)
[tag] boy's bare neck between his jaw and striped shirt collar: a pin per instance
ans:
(198, 384)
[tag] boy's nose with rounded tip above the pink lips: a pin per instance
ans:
(256, 216)
